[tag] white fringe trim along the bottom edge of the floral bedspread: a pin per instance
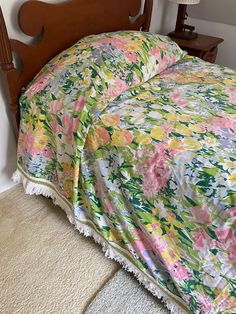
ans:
(40, 189)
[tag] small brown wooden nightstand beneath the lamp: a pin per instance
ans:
(204, 47)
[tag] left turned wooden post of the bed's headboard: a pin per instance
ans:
(10, 75)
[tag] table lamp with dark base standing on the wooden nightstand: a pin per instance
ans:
(183, 30)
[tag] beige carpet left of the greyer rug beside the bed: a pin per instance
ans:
(46, 266)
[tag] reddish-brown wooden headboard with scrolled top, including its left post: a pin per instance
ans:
(57, 27)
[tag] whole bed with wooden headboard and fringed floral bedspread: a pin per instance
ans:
(134, 139)
